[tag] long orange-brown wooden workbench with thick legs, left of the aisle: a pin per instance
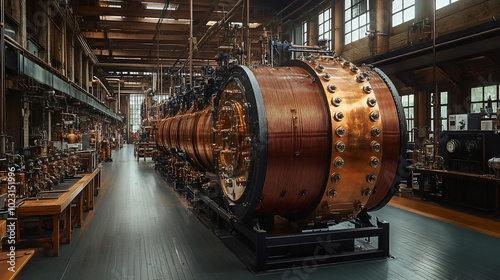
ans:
(82, 192)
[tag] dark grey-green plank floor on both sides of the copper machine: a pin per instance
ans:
(142, 230)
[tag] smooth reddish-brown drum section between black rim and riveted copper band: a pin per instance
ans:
(298, 140)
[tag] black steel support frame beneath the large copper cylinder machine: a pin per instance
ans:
(253, 245)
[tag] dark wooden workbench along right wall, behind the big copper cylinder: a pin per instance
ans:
(465, 176)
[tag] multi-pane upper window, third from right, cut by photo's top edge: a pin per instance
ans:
(356, 20)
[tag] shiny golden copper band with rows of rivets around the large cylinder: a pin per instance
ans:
(356, 122)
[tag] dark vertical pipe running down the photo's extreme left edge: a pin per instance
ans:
(3, 116)
